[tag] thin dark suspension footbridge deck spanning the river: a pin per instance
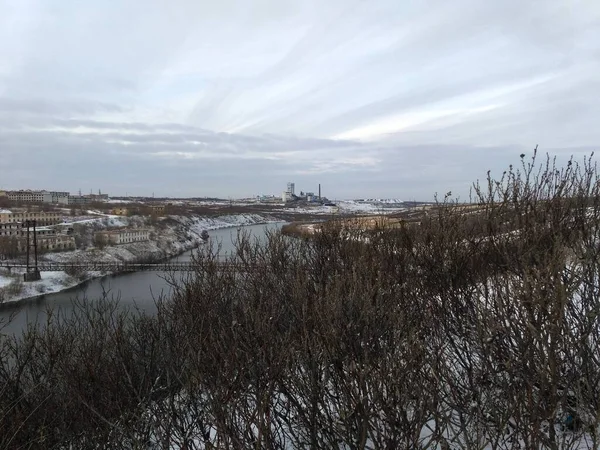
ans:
(186, 266)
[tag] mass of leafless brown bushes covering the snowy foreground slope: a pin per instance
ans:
(462, 330)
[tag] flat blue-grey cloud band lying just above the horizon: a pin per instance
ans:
(402, 171)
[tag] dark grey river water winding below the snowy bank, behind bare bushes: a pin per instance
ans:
(137, 289)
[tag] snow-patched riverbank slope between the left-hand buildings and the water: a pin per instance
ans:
(171, 236)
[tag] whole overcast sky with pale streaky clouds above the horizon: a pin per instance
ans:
(377, 99)
